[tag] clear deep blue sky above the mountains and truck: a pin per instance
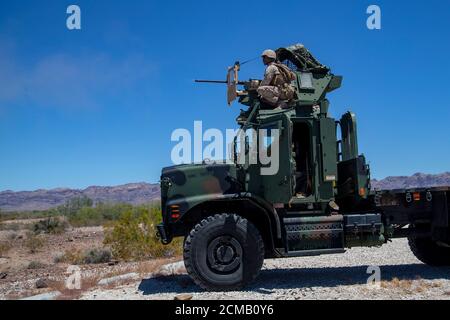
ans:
(97, 106)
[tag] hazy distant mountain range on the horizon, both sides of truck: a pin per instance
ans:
(139, 193)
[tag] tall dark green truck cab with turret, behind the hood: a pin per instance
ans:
(315, 167)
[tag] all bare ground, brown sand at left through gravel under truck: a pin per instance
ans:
(340, 276)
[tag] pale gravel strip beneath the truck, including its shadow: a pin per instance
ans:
(339, 276)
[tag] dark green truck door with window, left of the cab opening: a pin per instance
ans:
(277, 178)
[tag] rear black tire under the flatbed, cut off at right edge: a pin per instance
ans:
(430, 253)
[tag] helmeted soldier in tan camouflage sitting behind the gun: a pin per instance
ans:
(276, 89)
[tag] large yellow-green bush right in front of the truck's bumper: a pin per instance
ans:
(133, 236)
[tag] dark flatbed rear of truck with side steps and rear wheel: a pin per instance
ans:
(416, 214)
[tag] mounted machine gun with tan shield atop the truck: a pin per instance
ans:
(233, 81)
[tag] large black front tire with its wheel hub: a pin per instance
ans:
(223, 252)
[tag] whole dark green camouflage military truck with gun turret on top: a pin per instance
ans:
(320, 201)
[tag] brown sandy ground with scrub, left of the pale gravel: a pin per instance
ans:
(18, 280)
